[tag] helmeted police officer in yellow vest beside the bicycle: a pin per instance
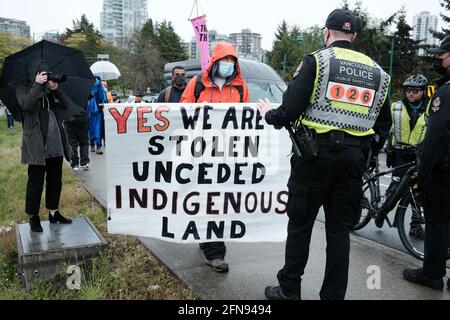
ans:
(408, 127)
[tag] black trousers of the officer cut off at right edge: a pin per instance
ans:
(437, 224)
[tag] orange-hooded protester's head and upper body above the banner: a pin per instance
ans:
(222, 81)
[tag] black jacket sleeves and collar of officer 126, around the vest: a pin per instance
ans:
(297, 96)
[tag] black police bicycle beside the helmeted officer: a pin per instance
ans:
(406, 199)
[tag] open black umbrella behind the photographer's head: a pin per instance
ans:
(61, 60)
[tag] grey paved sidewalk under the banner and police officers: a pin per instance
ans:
(254, 266)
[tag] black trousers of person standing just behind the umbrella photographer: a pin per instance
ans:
(77, 132)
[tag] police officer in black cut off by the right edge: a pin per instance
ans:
(434, 178)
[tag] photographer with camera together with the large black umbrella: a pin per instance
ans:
(44, 85)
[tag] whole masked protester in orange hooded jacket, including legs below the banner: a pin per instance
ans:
(222, 82)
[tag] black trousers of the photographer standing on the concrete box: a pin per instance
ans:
(52, 173)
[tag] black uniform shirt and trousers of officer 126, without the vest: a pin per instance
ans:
(333, 181)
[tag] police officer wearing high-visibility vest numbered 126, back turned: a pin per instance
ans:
(341, 95)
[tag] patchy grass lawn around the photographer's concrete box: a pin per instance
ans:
(124, 270)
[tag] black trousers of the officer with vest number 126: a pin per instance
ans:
(333, 181)
